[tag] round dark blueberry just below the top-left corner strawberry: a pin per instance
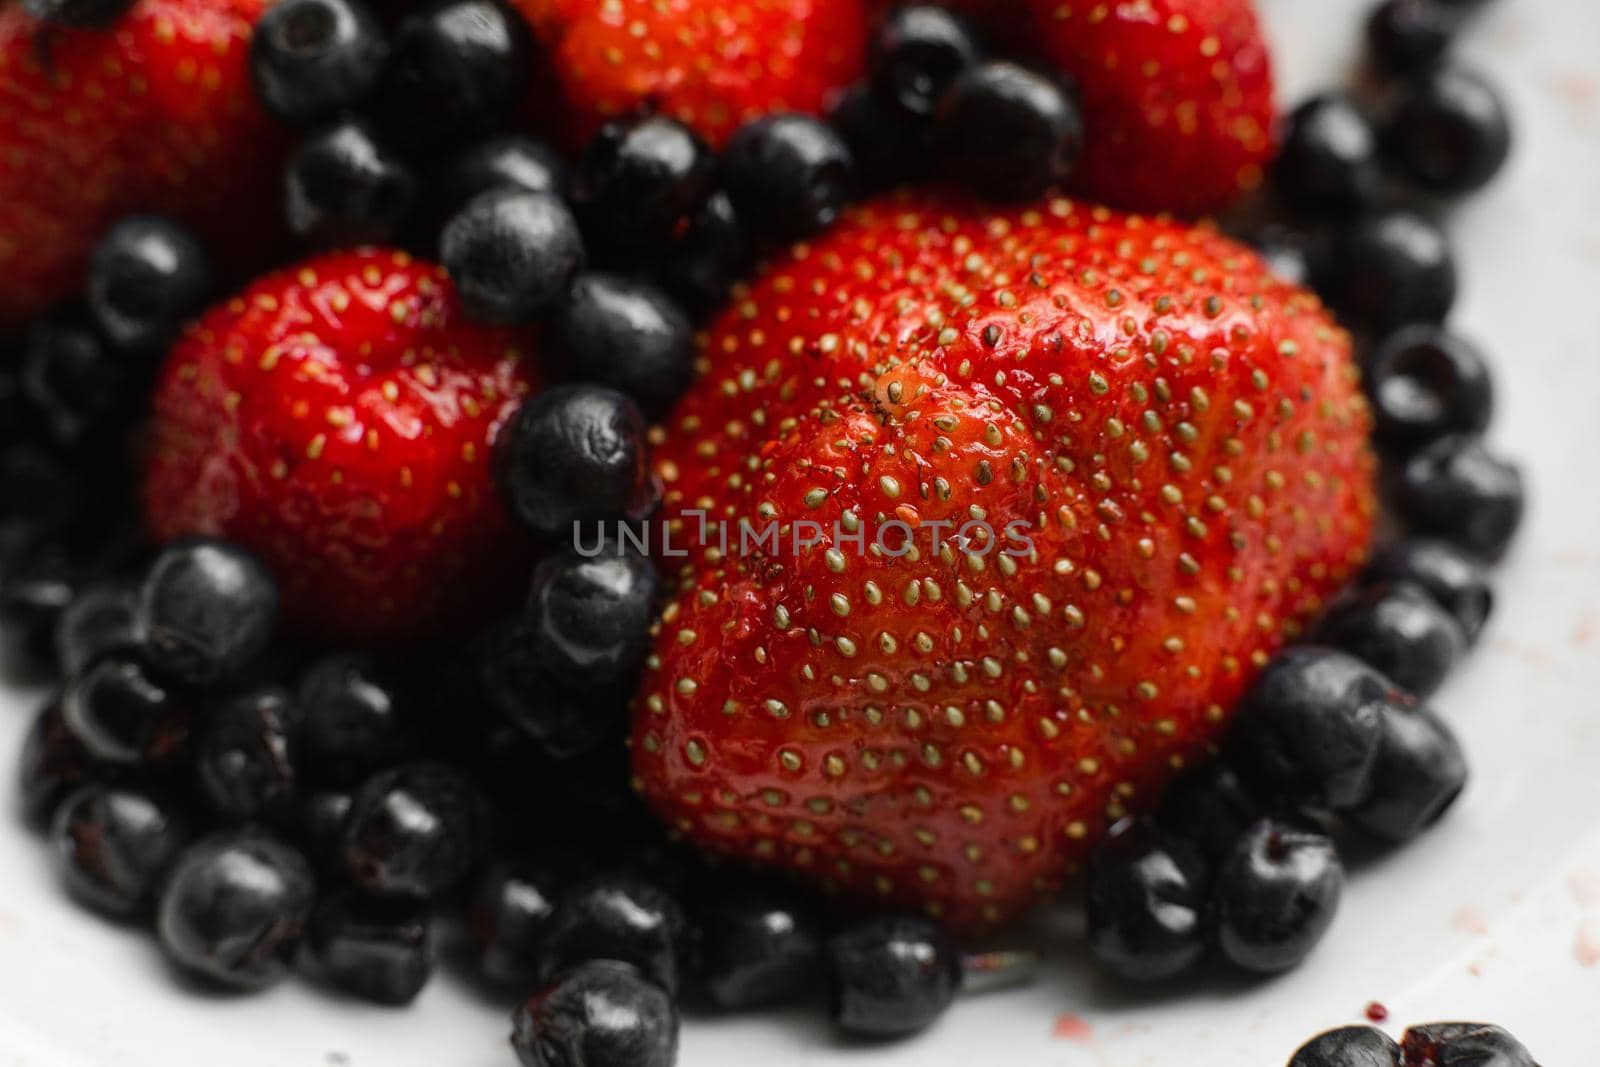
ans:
(148, 278)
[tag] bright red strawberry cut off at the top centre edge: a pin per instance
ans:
(711, 65)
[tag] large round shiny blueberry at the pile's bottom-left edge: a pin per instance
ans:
(236, 908)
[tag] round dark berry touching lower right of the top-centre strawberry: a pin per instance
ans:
(790, 177)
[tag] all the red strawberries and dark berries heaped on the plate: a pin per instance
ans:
(374, 641)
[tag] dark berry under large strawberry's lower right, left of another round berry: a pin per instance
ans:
(1146, 903)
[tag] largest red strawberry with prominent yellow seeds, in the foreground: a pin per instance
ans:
(1164, 454)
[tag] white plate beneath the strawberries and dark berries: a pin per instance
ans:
(1494, 916)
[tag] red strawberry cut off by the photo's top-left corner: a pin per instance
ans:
(154, 114)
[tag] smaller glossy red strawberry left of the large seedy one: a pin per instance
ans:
(338, 418)
